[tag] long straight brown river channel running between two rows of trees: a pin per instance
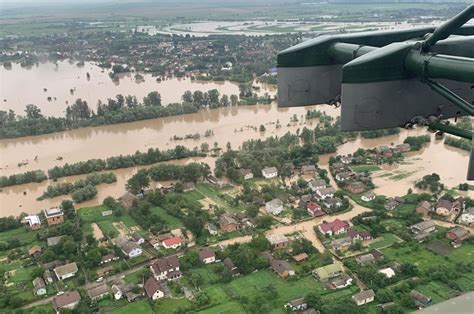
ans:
(228, 124)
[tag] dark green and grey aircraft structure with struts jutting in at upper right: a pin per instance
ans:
(386, 79)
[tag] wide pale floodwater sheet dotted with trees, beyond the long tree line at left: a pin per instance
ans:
(21, 86)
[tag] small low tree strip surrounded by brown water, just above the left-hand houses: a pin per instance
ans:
(92, 179)
